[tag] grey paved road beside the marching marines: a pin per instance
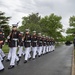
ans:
(54, 63)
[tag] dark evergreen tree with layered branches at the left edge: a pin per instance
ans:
(4, 23)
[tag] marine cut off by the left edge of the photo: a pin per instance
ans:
(2, 55)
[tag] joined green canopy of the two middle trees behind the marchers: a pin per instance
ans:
(48, 25)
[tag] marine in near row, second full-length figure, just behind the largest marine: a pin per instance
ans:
(27, 45)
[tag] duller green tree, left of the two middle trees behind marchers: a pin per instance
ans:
(31, 22)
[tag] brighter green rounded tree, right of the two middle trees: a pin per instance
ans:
(51, 25)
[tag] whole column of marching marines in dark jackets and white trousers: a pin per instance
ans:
(30, 46)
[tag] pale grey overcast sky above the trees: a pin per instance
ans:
(19, 8)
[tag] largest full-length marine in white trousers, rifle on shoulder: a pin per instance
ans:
(13, 42)
